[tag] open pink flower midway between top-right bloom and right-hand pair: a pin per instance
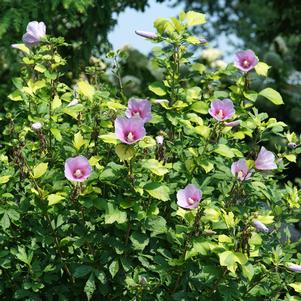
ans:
(222, 109)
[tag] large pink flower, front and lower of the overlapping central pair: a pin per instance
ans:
(129, 130)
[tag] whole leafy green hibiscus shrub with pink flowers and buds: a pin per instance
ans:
(179, 196)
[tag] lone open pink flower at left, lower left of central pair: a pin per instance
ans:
(77, 169)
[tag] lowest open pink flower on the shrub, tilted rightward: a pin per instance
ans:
(189, 197)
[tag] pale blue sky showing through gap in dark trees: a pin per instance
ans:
(131, 20)
